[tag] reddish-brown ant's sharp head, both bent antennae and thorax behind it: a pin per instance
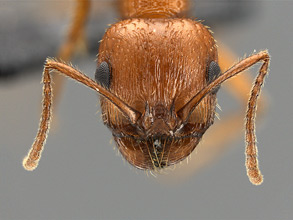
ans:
(158, 76)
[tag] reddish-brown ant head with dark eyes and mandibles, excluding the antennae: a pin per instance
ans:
(156, 68)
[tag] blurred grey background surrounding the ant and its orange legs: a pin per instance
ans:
(80, 176)
